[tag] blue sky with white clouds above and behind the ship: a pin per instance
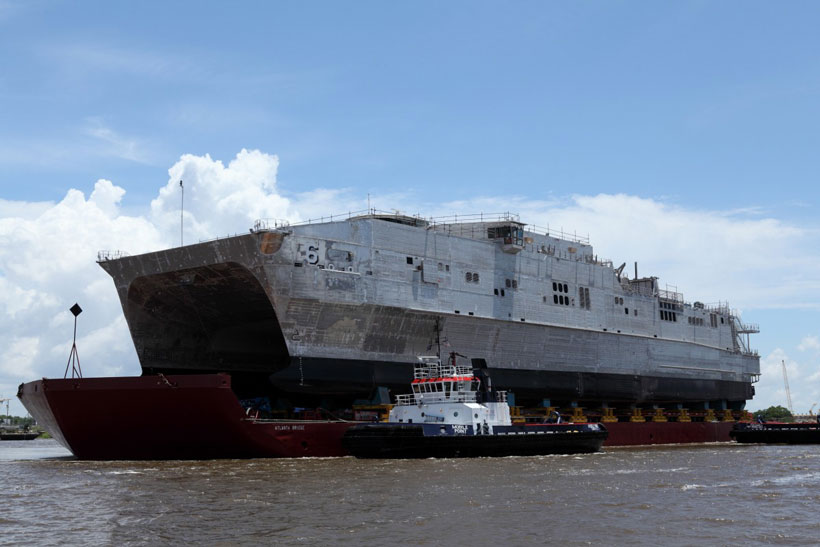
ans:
(703, 116)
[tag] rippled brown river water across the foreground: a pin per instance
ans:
(719, 494)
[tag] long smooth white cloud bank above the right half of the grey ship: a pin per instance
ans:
(710, 256)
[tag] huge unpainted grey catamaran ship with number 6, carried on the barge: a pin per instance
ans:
(339, 309)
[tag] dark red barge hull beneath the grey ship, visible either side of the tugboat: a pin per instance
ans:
(199, 417)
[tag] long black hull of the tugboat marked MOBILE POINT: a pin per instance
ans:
(440, 441)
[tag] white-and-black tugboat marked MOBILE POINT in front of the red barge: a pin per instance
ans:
(454, 412)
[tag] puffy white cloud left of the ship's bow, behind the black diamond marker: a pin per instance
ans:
(47, 262)
